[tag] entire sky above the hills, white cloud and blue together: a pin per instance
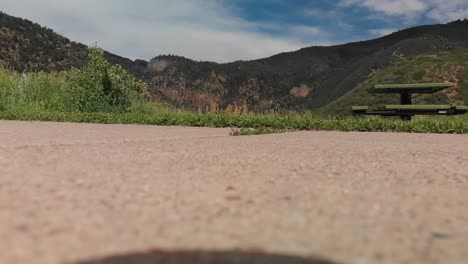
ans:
(228, 30)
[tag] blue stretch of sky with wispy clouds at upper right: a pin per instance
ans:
(339, 21)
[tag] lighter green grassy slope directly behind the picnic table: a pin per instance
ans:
(450, 66)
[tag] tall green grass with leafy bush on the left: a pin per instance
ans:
(98, 87)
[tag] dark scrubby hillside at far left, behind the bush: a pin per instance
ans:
(27, 46)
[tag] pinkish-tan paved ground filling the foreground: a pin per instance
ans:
(79, 193)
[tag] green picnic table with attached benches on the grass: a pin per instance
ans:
(406, 110)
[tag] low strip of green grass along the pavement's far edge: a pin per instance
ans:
(260, 123)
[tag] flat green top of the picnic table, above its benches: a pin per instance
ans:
(411, 88)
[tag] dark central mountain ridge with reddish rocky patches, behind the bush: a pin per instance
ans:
(306, 79)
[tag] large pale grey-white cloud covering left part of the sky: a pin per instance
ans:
(198, 29)
